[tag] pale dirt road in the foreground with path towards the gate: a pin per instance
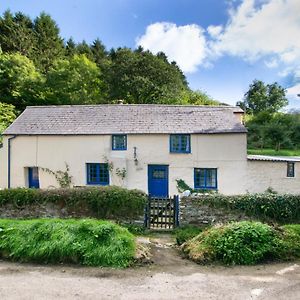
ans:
(170, 277)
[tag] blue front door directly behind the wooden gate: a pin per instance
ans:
(158, 180)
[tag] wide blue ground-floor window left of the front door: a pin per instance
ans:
(97, 173)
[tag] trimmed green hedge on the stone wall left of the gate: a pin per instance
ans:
(109, 202)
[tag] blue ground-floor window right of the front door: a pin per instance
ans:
(205, 178)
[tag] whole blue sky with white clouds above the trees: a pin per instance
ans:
(221, 45)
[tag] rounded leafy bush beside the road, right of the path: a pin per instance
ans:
(243, 243)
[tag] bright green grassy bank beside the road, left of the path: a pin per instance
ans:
(88, 242)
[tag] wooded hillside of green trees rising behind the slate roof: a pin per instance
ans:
(37, 67)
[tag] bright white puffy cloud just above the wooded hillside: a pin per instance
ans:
(184, 44)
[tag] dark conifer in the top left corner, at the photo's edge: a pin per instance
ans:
(16, 33)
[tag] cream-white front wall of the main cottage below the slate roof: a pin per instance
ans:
(226, 152)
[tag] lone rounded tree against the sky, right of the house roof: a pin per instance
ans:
(263, 98)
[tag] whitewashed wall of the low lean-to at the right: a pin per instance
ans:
(265, 174)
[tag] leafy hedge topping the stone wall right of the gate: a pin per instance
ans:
(280, 208)
